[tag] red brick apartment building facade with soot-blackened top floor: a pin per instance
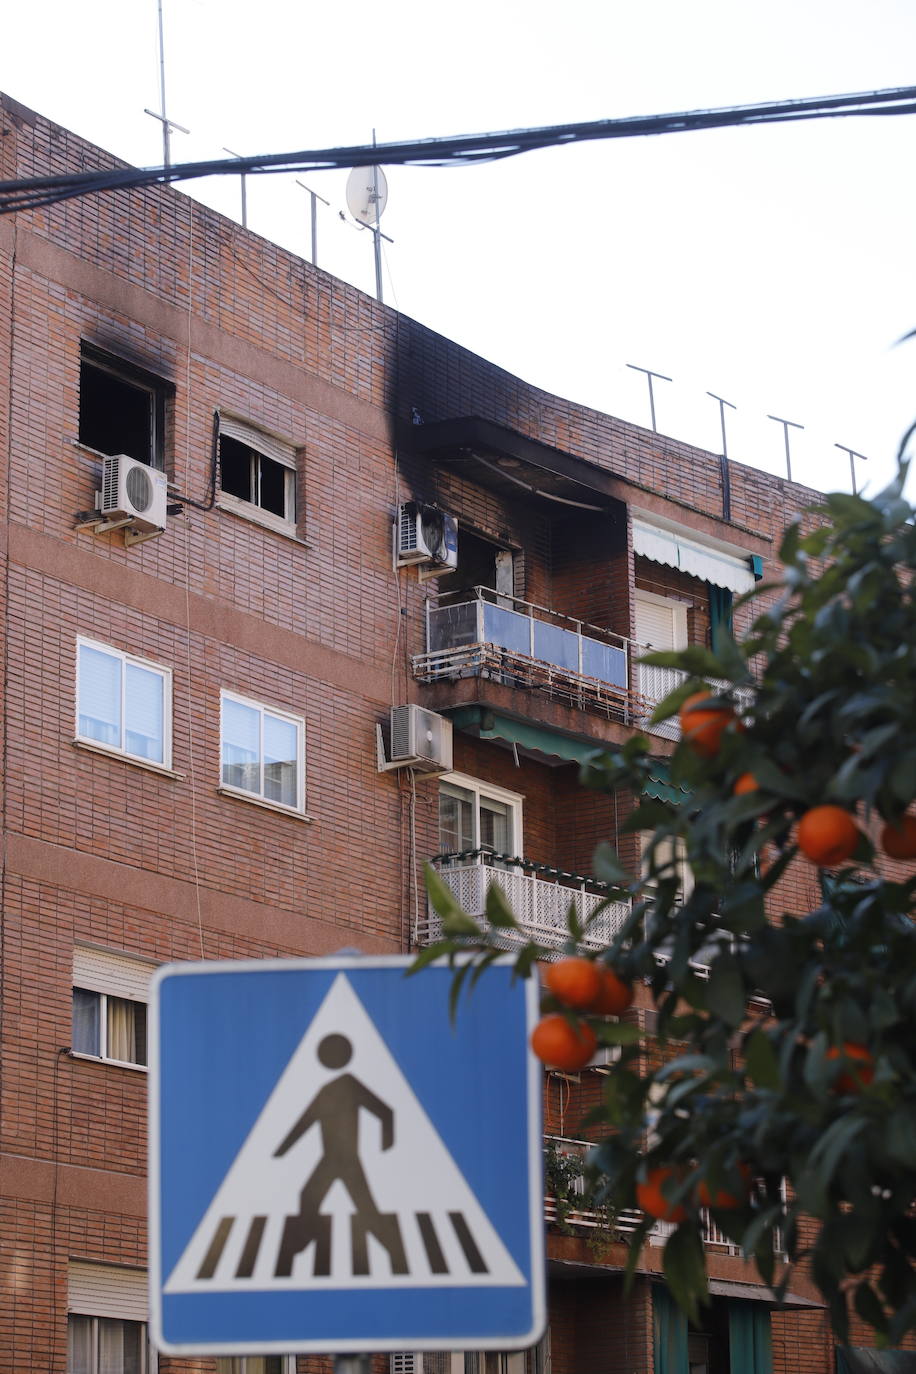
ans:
(190, 722)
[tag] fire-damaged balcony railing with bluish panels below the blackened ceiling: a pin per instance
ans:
(523, 645)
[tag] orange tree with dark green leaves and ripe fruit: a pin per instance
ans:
(810, 1130)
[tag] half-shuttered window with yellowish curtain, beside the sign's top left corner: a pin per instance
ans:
(111, 1006)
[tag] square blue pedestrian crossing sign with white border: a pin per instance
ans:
(339, 1166)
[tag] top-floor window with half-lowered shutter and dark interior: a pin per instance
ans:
(257, 476)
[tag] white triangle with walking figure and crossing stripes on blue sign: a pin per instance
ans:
(355, 1189)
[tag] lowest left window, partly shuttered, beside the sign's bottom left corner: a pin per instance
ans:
(108, 1321)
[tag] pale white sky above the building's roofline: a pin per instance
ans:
(771, 266)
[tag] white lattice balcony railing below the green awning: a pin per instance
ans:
(539, 897)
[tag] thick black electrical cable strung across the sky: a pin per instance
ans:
(455, 150)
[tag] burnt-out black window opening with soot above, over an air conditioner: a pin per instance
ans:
(122, 409)
